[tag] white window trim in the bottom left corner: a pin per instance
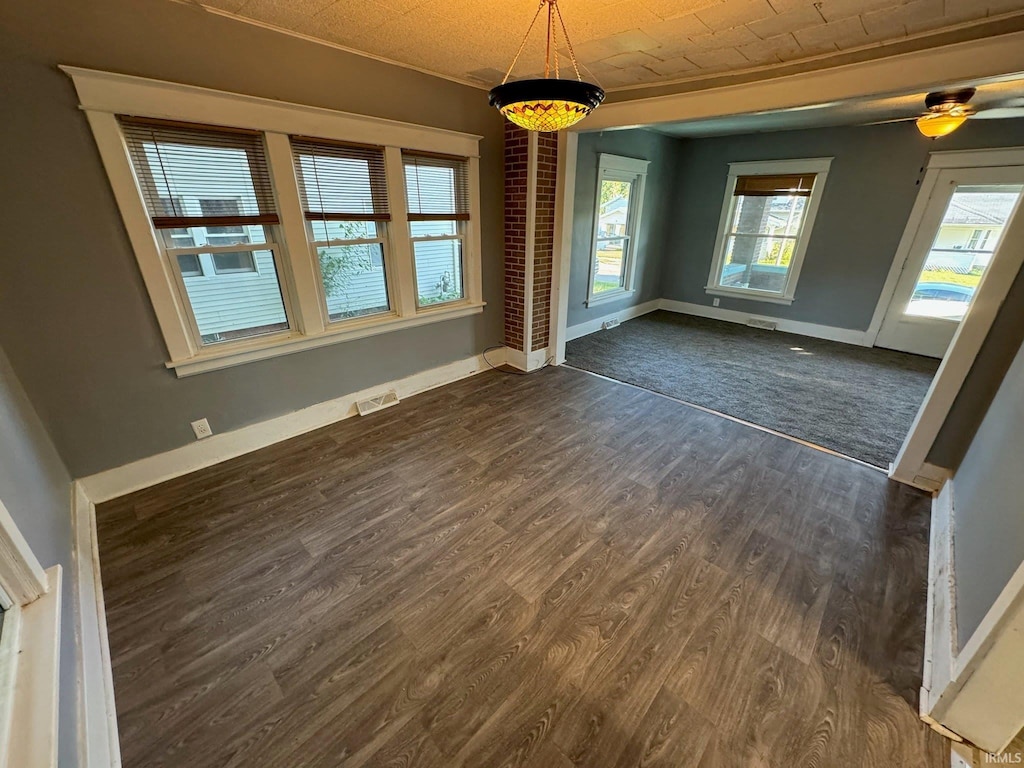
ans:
(30, 646)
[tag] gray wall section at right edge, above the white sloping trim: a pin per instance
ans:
(989, 505)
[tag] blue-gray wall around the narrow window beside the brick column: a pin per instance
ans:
(655, 225)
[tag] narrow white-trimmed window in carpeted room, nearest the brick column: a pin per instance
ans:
(617, 222)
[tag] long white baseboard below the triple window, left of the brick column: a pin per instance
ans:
(146, 473)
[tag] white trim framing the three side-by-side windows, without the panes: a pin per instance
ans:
(104, 96)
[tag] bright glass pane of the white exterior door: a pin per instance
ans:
(964, 246)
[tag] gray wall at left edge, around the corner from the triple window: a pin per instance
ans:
(36, 490)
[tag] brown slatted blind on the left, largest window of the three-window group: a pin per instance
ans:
(181, 164)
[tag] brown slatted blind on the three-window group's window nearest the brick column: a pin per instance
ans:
(437, 187)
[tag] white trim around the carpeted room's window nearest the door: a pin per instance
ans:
(819, 166)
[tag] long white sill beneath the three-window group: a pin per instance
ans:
(266, 349)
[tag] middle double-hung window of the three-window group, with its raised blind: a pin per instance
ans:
(345, 198)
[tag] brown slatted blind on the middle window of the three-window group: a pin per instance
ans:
(339, 182)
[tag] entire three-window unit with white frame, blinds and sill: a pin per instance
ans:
(265, 229)
